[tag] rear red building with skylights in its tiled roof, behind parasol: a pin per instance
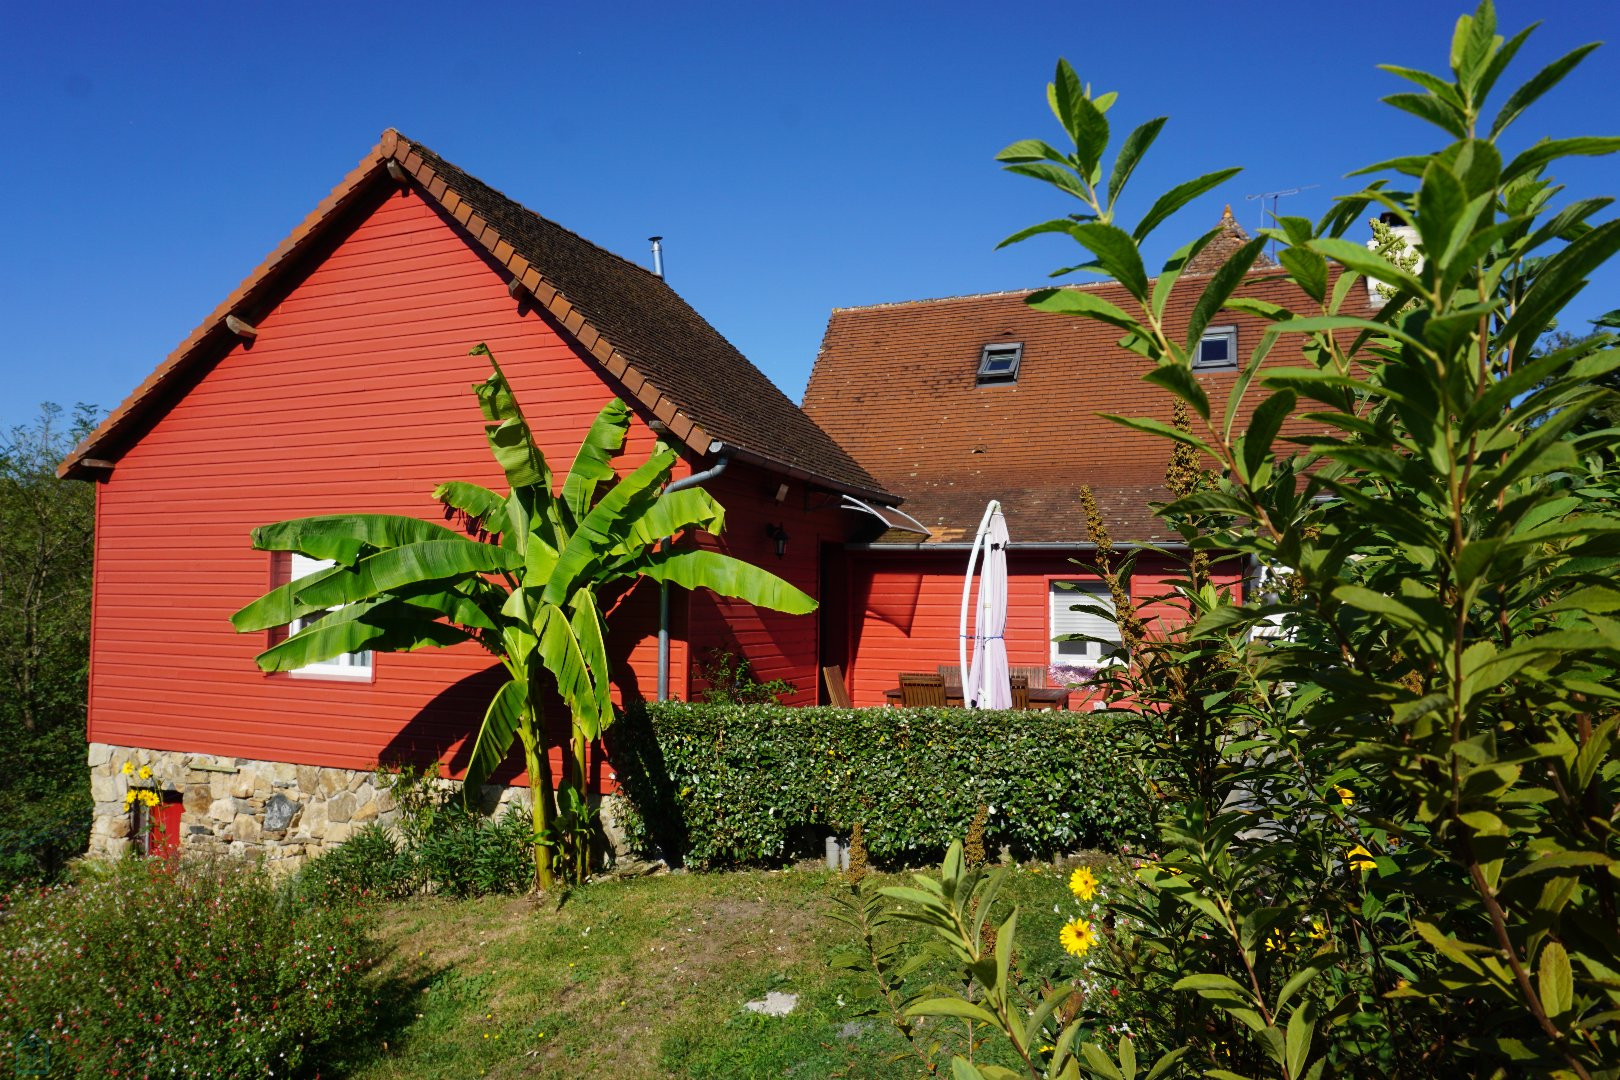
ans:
(955, 402)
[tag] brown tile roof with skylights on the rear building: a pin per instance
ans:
(897, 386)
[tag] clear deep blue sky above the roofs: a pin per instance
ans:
(795, 158)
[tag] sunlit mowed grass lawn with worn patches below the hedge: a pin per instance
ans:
(649, 979)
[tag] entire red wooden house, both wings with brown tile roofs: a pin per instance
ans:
(336, 380)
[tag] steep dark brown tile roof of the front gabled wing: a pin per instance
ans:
(665, 354)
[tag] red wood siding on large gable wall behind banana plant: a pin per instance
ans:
(356, 398)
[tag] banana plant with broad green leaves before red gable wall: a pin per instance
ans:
(526, 587)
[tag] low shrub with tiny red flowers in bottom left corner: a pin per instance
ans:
(156, 967)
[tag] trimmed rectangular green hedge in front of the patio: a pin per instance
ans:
(725, 784)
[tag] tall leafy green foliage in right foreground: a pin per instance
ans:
(1394, 849)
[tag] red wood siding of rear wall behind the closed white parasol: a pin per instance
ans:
(906, 611)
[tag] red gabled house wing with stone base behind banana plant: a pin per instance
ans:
(336, 380)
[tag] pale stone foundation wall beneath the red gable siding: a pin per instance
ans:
(271, 810)
